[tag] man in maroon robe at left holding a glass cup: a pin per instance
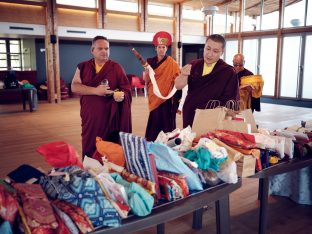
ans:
(103, 112)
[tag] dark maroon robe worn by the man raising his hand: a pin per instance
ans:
(221, 84)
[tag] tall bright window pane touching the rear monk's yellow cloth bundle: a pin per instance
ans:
(268, 64)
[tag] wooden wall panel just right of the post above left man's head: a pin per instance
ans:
(122, 22)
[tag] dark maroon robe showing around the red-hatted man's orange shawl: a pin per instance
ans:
(163, 118)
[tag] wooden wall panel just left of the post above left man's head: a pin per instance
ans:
(76, 18)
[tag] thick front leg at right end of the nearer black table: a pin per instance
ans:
(223, 215)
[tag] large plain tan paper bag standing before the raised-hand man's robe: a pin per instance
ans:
(206, 120)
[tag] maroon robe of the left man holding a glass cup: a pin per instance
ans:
(101, 115)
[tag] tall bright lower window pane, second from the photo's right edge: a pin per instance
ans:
(290, 66)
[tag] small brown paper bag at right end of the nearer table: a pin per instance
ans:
(246, 166)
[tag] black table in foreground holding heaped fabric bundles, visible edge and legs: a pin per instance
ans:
(172, 210)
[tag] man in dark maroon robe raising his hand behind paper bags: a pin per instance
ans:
(208, 79)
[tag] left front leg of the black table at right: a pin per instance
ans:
(263, 204)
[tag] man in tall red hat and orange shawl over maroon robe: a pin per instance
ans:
(162, 116)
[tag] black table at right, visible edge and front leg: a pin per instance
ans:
(264, 176)
